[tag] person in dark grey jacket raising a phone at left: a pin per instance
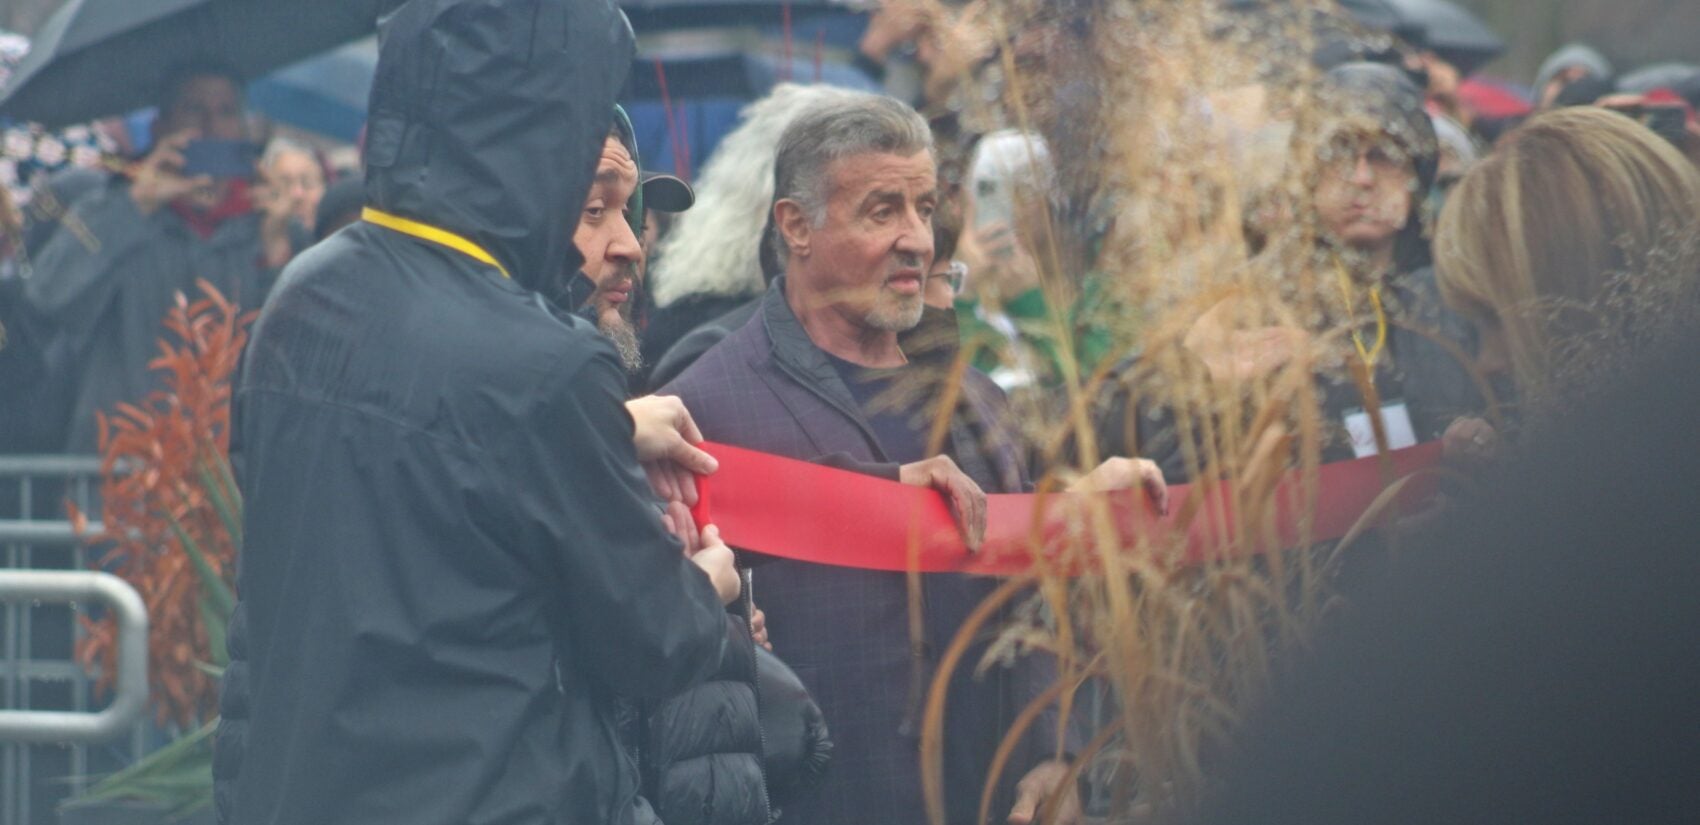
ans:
(181, 215)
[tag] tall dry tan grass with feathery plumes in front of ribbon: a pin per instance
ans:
(1187, 145)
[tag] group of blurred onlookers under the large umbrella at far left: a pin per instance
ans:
(113, 249)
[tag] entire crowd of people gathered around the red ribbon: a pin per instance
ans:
(465, 430)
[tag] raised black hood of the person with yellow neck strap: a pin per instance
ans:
(489, 117)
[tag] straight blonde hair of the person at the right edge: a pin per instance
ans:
(1575, 237)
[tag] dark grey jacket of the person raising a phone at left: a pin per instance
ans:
(105, 282)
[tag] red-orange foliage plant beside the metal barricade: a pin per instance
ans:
(166, 460)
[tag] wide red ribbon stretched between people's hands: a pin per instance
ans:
(810, 513)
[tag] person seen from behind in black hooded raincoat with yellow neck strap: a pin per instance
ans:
(451, 559)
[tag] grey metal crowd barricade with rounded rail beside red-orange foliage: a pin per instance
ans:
(50, 739)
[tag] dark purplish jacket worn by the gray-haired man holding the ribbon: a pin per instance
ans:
(847, 632)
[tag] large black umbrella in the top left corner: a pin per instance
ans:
(96, 59)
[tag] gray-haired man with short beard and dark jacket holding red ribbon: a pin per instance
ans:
(846, 365)
